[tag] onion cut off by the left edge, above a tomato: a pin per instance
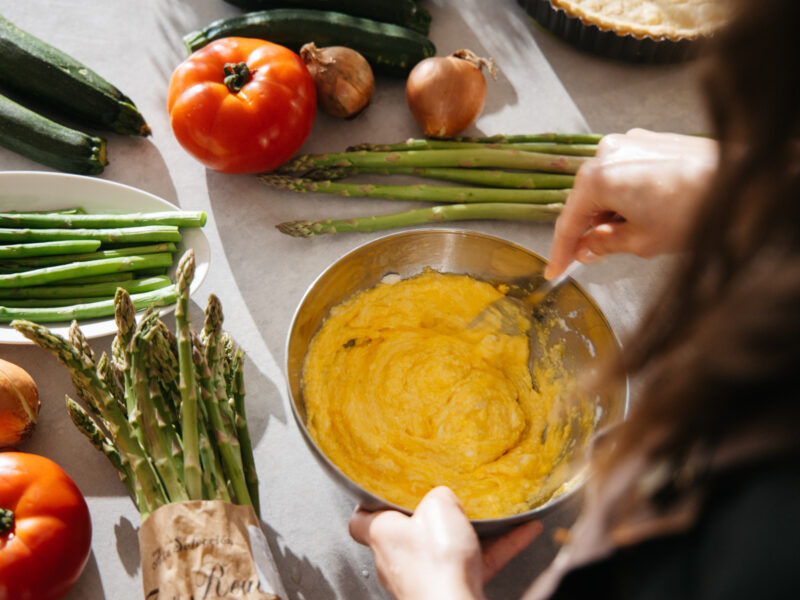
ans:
(19, 404)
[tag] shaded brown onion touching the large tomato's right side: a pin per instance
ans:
(343, 77)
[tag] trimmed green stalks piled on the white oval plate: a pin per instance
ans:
(65, 265)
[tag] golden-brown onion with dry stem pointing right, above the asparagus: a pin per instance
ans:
(446, 94)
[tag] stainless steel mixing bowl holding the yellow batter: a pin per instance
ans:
(580, 325)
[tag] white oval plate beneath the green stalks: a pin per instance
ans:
(33, 190)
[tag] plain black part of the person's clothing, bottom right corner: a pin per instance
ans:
(745, 545)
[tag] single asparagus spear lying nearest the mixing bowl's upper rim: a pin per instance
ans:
(435, 214)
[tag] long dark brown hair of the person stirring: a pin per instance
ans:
(721, 346)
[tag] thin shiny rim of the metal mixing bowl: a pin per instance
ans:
(375, 501)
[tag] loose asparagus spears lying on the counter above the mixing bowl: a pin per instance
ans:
(513, 177)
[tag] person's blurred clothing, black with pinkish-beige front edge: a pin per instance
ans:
(724, 524)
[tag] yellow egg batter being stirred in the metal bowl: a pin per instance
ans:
(403, 396)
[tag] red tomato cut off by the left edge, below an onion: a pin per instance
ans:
(45, 530)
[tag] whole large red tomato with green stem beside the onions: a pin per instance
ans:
(246, 122)
